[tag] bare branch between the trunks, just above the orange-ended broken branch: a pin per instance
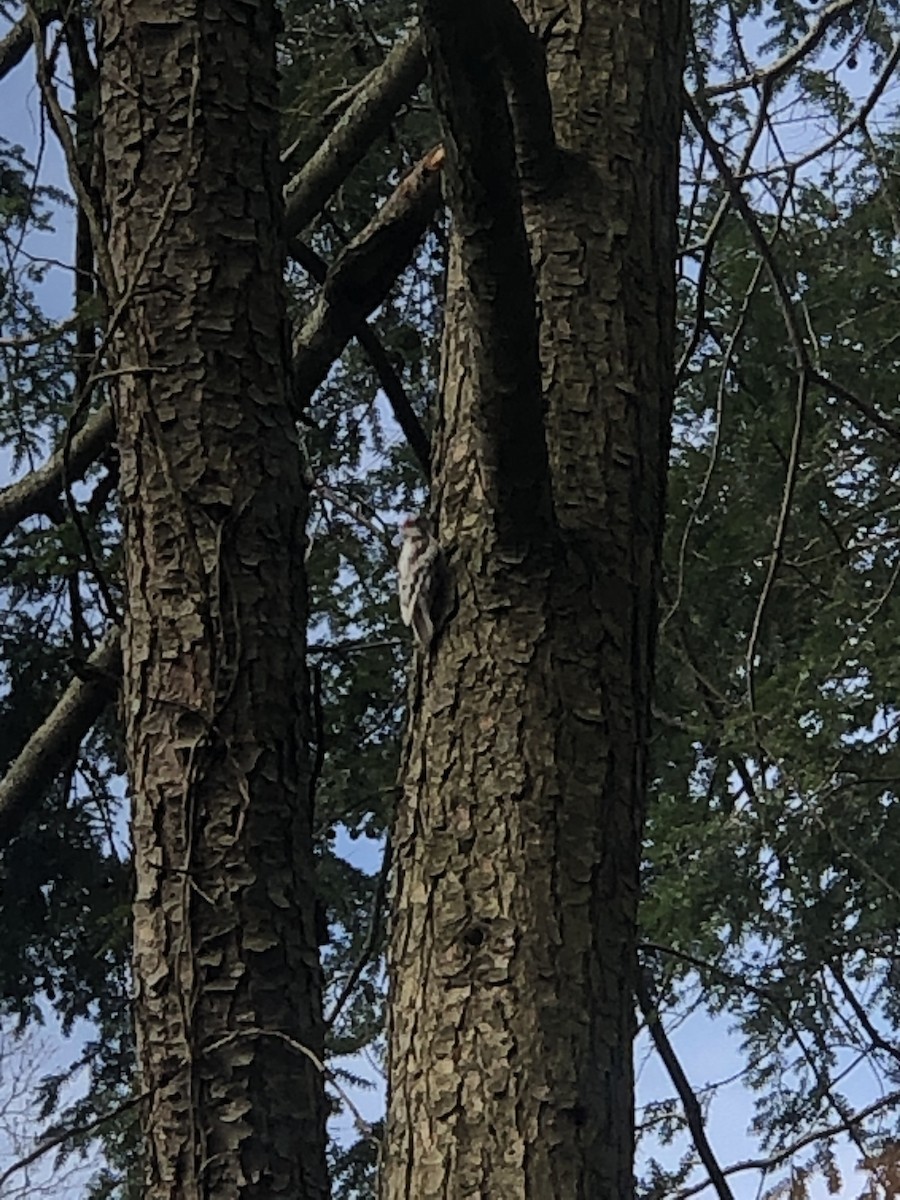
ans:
(375, 103)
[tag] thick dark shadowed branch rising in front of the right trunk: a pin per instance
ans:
(465, 40)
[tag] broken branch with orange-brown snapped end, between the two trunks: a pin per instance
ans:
(364, 273)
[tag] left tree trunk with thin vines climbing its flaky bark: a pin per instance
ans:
(226, 964)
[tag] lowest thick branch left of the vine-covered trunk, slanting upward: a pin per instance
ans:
(55, 745)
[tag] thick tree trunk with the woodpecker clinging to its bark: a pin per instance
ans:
(519, 833)
